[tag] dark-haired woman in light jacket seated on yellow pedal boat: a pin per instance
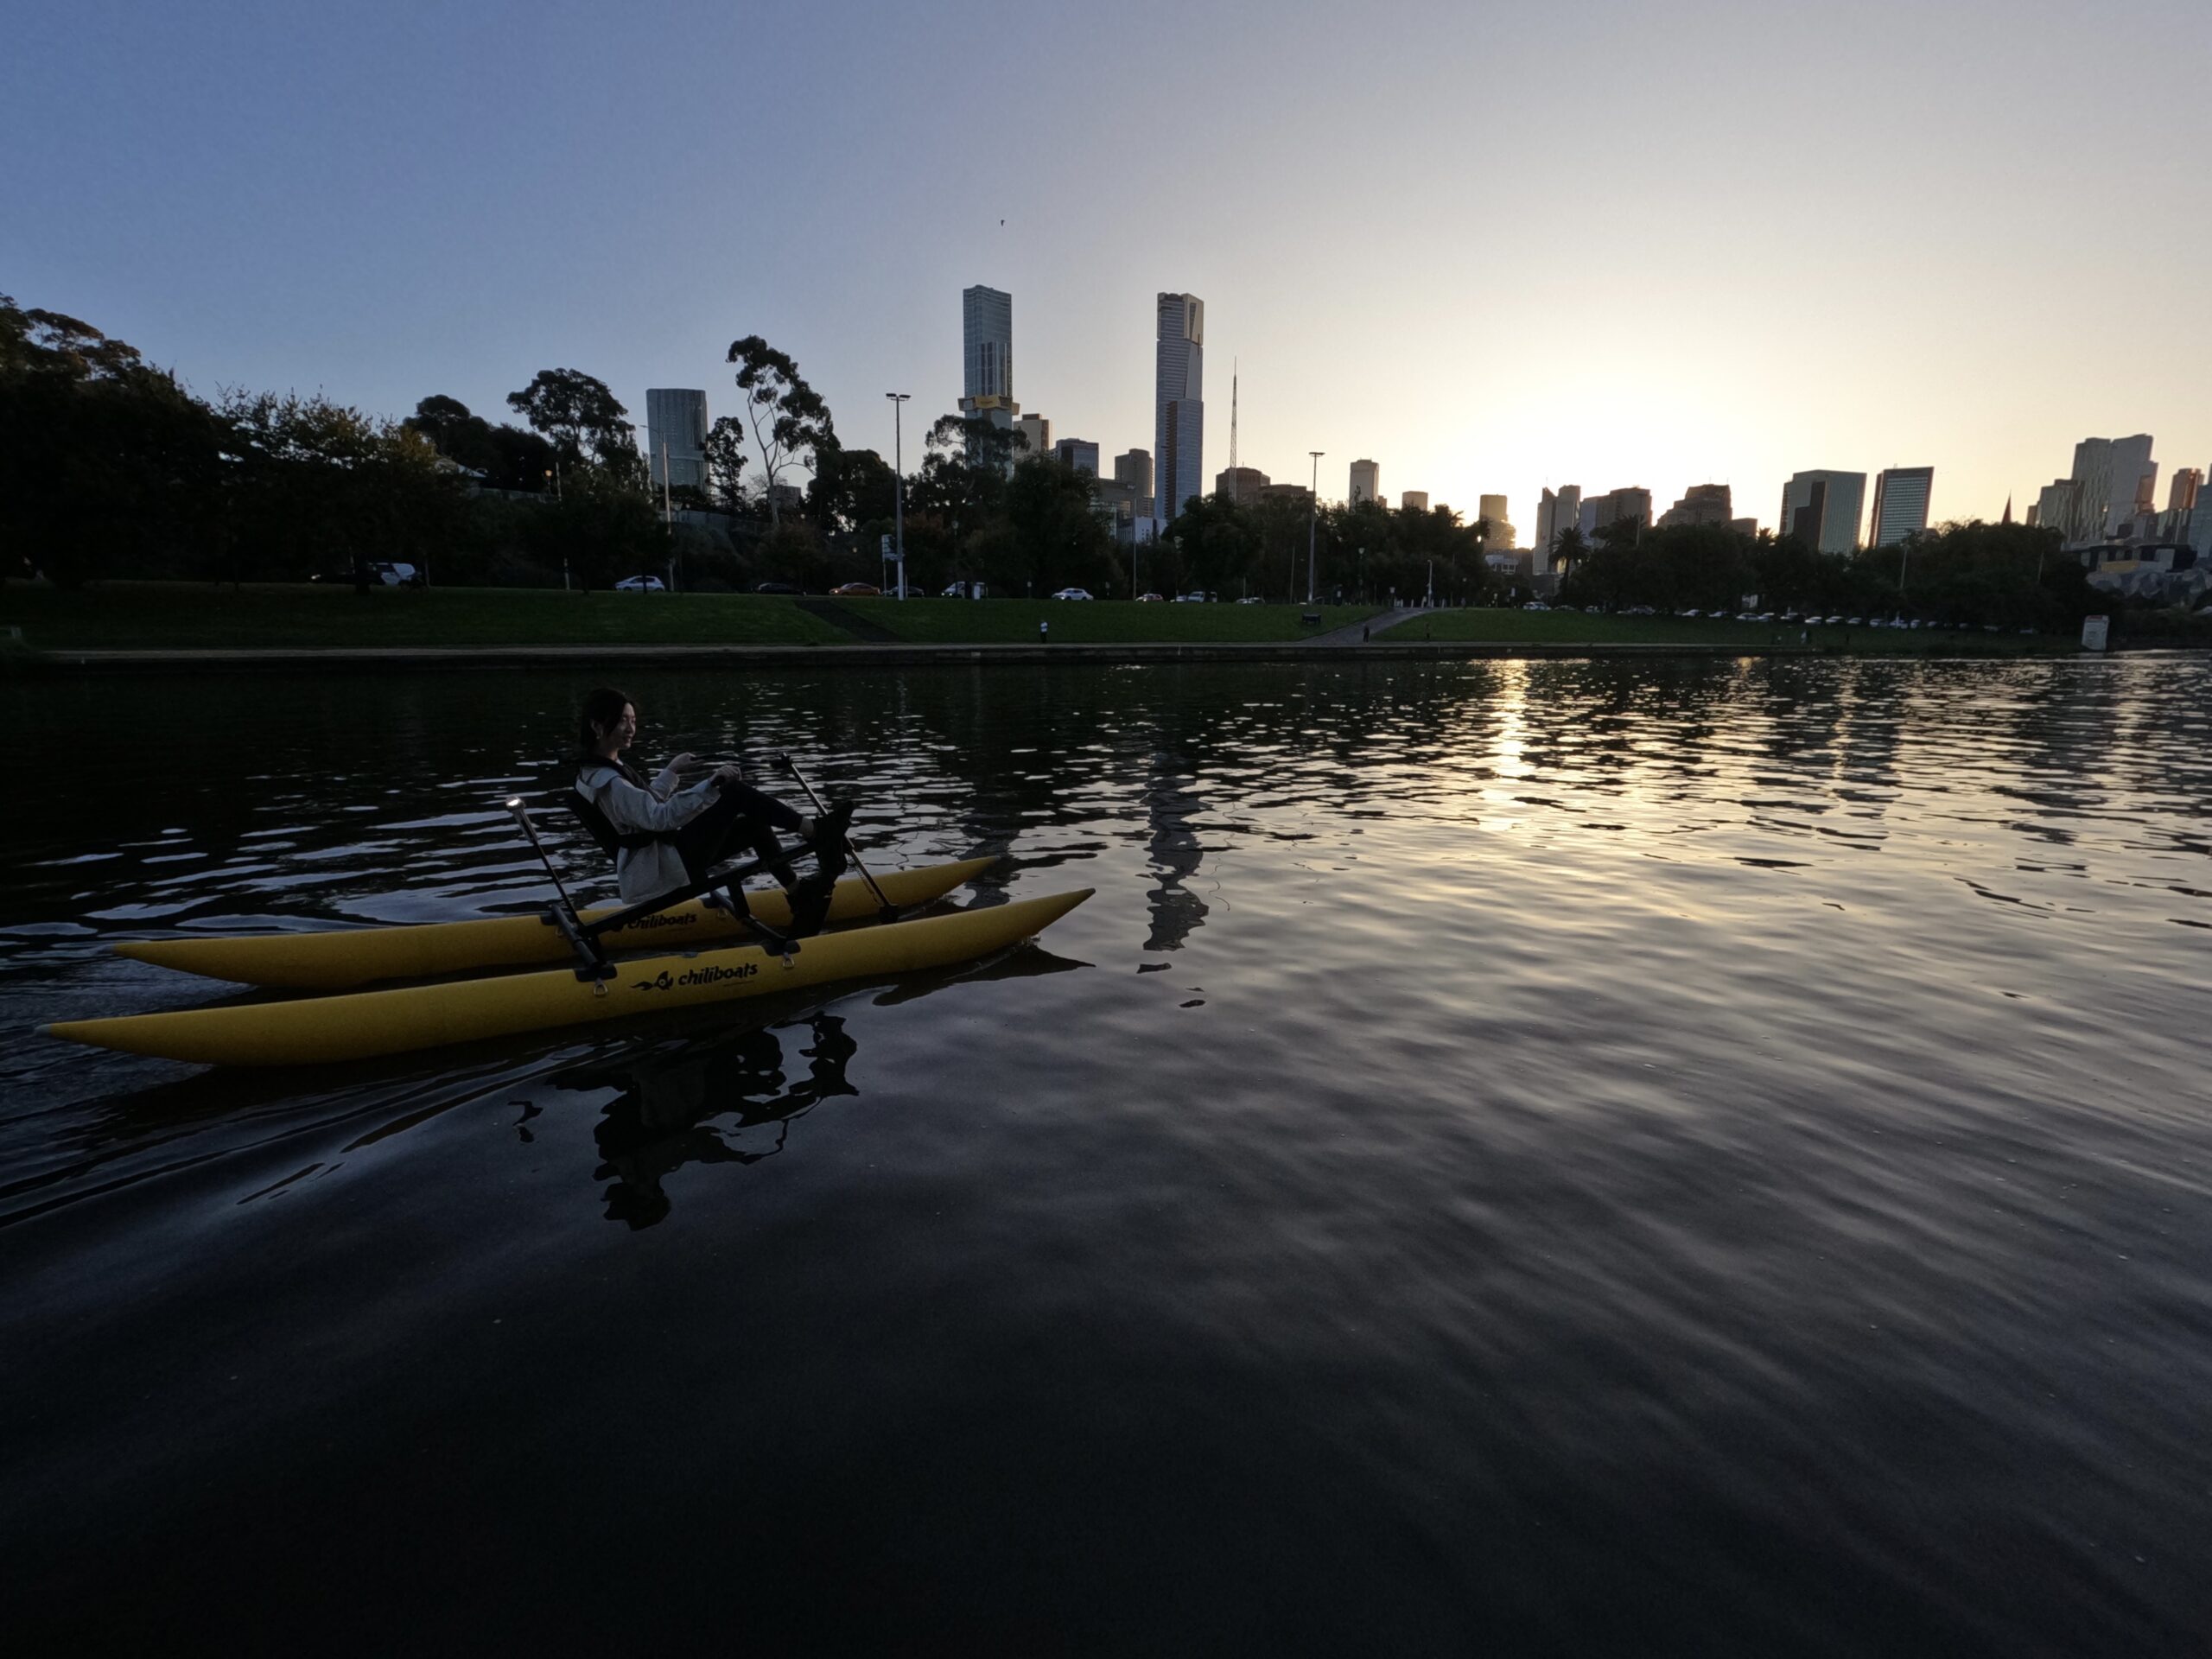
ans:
(669, 835)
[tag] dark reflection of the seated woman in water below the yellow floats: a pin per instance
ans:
(662, 1118)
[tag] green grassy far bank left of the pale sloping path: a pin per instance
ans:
(185, 616)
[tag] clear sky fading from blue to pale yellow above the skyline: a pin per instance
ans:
(1490, 247)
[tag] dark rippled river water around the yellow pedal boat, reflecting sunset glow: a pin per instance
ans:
(1516, 1158)
